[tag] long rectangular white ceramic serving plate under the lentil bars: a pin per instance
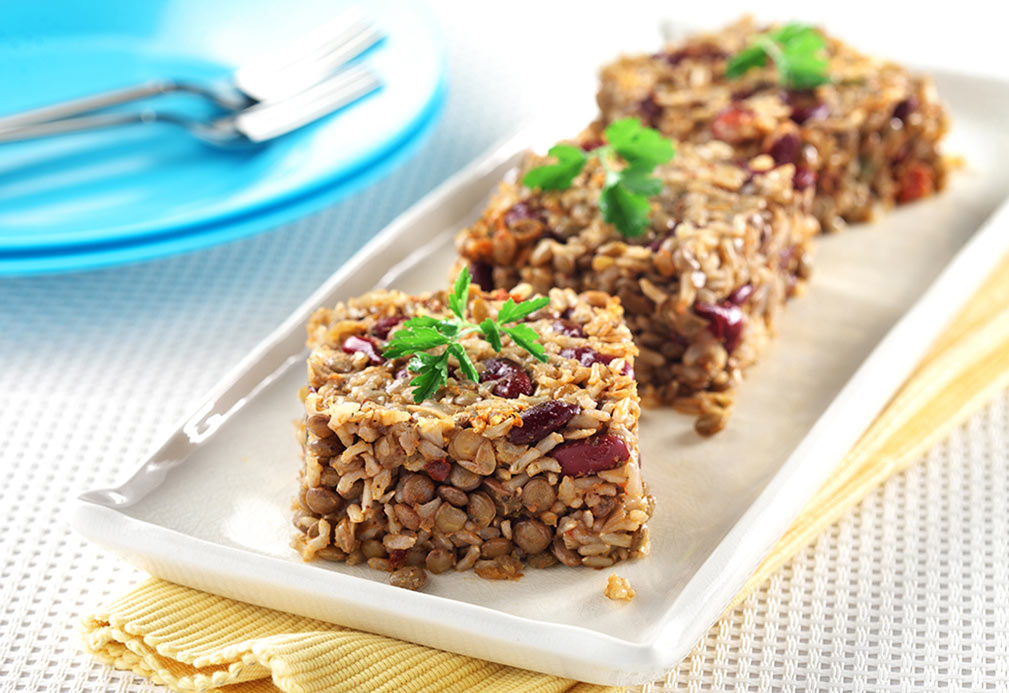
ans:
(211, 508)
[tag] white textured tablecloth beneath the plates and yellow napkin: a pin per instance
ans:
(910, 592)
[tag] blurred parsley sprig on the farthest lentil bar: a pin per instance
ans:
(799, 53)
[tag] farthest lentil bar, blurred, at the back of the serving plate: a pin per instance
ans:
(868, 140)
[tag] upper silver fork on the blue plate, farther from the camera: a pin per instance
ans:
(272, 77)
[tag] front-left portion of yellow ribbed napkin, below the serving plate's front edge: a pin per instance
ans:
(192, 641)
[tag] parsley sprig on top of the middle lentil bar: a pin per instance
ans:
(624, 200)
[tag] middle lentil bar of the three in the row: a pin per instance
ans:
(728, 245)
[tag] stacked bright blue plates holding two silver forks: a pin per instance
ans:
(141, 192)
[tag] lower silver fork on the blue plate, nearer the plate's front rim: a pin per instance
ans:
(257, 124)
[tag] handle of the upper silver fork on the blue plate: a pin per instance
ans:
(88, 104)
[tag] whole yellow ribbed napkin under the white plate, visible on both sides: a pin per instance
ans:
(191, 641)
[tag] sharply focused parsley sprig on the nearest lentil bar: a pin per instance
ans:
(420, 335)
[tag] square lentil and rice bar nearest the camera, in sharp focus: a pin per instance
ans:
(535, 465)
